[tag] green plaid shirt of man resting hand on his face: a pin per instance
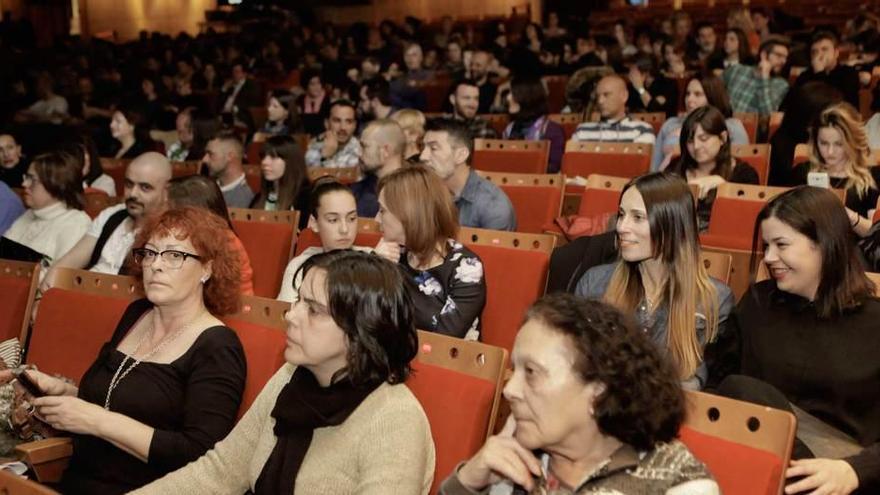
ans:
(749, 92)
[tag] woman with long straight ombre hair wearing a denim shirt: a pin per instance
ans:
(658, 276)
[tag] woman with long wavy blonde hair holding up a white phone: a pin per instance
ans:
(839, 148)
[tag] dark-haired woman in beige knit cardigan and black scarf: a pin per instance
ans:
(337, 417)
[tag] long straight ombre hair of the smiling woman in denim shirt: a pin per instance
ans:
(687, 289)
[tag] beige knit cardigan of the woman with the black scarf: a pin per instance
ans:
(385, 446)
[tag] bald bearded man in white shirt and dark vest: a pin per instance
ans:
(106, 244)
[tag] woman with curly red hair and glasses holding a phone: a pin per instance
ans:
(168, 384)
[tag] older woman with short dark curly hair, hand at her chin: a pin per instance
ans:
(588, 390)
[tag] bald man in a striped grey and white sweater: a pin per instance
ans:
(615, 125)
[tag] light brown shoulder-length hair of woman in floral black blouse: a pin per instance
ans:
(422, 203)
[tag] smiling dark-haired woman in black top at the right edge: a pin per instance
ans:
(809, 343)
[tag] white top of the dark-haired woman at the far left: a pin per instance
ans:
(52, 230)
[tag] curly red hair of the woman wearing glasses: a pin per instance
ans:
(204, 229)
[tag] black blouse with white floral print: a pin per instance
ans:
(450, 297)
